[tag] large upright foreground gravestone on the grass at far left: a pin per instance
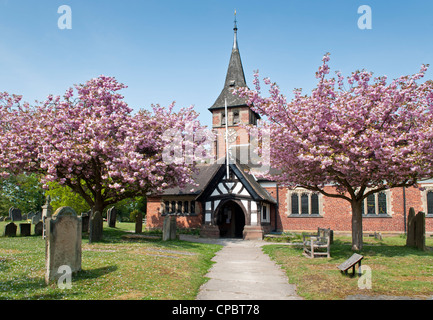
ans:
(63, 243)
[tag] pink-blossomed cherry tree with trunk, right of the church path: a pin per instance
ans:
(359, 134)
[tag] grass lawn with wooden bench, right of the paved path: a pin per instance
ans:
(395, 269)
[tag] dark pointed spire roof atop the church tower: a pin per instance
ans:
(235, 78)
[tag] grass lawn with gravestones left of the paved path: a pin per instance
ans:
(111, 269)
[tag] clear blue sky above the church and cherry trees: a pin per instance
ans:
(179, 50)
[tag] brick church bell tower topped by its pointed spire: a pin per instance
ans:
(238, 112)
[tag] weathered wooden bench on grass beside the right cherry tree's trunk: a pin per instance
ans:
(317, 244)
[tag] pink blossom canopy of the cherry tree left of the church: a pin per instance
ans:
(91, 141)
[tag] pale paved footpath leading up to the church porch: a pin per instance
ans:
(243, 272)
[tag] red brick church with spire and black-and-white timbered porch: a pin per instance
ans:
(229, 201)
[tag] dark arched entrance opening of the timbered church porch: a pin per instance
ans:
(230, 220)
